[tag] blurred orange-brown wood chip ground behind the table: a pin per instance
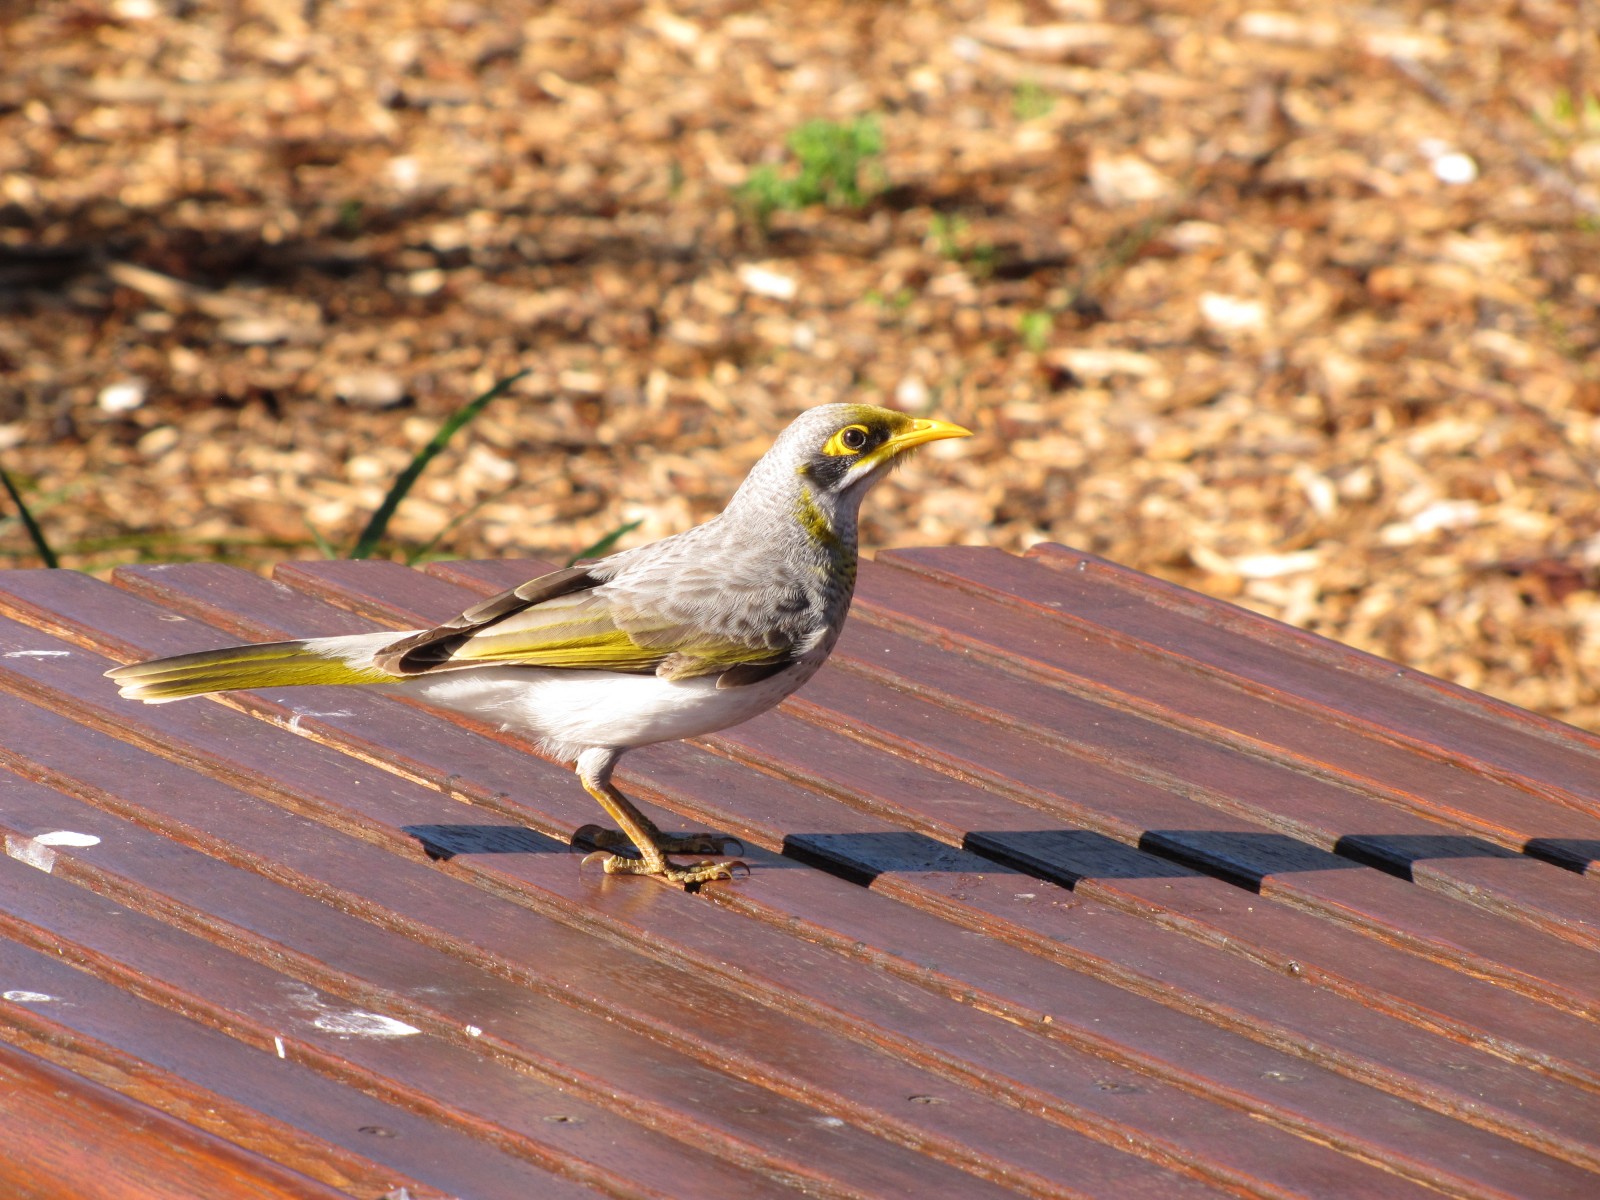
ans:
(1292, 303)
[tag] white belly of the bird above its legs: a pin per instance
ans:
(570, 711)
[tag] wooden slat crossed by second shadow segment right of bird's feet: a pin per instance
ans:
(1290, 943)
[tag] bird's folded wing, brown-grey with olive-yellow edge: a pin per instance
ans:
(562, 622)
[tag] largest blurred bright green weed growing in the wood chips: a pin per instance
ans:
(836, 166)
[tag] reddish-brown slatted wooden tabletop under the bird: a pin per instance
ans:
(1066, 882)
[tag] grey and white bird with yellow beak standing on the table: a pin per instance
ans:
(692, 634)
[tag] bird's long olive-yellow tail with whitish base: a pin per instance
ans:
(271, 665)
